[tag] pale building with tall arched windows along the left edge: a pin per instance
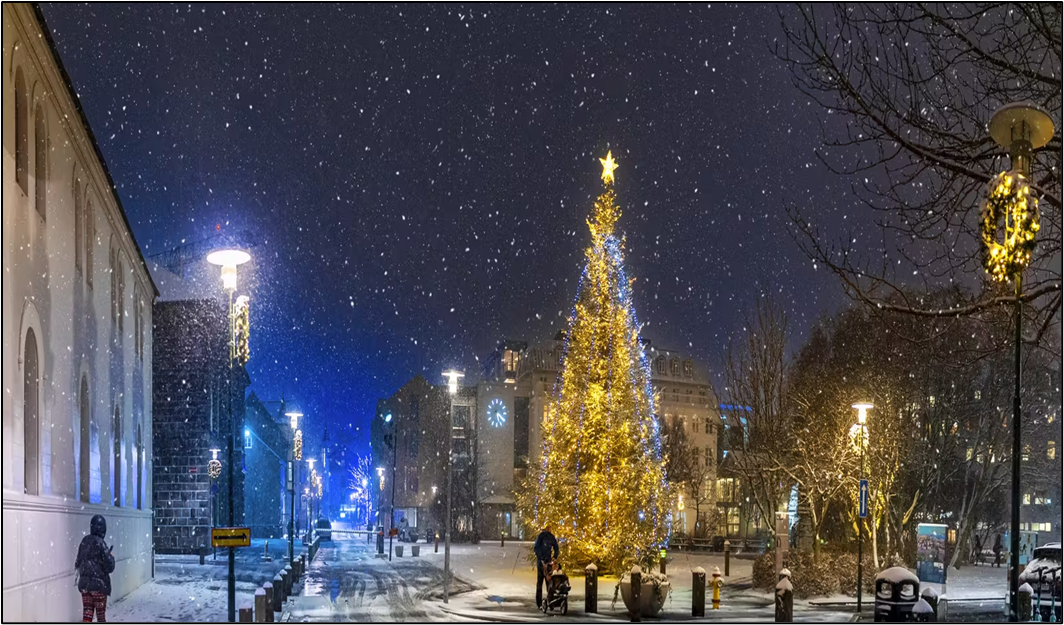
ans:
(77, 342)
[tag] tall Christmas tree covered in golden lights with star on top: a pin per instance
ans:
(603, 487)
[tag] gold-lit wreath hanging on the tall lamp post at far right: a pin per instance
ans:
(1009, 200)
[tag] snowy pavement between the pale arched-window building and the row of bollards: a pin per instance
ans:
(185, 590)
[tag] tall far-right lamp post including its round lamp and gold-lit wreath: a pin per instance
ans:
(1010, 225)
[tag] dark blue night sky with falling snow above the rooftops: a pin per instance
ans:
(418, 178)
